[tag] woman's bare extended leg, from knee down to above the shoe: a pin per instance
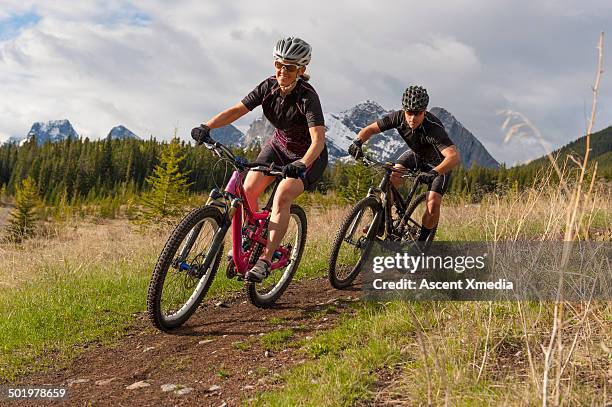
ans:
(287, 191)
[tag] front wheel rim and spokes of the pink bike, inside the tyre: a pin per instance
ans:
(181, 286)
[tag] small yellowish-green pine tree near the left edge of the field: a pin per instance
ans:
(22, 223)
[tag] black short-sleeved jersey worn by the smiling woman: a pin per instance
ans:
(292, 115)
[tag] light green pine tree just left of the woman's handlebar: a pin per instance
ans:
(169, 186)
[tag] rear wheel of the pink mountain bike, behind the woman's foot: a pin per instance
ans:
(265, 294)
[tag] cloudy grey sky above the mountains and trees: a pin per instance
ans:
(155, 65)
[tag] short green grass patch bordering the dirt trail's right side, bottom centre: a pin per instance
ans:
(343, 365)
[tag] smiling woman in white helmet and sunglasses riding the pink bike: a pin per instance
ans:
(292, 105)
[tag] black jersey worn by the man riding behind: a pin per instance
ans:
(426, 141)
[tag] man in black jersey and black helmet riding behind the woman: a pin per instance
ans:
(431, 150)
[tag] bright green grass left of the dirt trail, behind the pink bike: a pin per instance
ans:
(45, 322)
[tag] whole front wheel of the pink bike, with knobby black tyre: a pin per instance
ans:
(185, 268)
